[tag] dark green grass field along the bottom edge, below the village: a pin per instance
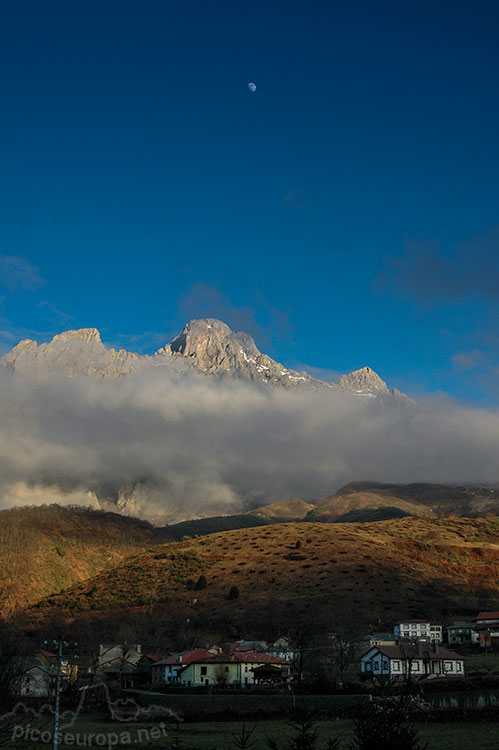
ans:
(221, 735)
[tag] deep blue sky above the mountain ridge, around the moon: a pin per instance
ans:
(345, 213)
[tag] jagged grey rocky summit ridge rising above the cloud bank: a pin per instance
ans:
(207, 345)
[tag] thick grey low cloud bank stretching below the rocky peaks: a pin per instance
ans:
(168, 446)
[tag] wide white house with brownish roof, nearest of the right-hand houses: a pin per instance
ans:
(410, 661)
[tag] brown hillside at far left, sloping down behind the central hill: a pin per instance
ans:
(45, 549)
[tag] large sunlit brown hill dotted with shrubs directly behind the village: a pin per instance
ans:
(397, 568)
